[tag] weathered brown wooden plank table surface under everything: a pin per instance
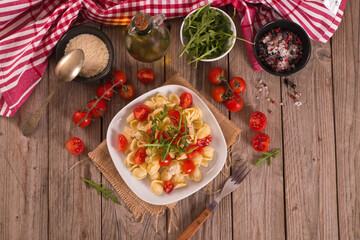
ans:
(311, 191)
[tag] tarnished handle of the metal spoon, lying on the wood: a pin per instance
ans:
(33, 121)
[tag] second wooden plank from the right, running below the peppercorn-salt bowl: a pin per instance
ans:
(309, 151)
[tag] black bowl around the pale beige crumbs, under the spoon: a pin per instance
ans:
(83, 29)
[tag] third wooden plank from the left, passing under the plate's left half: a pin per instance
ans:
(117, 221)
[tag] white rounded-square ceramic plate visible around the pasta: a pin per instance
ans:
(142, 187)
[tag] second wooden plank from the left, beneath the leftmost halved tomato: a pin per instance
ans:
(75, 209)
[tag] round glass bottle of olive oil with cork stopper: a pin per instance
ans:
(147, 39)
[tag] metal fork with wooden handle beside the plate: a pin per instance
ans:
(231, 184)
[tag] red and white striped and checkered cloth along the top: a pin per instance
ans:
(30, 29)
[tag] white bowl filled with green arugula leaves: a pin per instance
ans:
(207, 34)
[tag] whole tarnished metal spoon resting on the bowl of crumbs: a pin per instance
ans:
(66, 70)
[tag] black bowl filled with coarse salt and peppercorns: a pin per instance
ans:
(282, 47)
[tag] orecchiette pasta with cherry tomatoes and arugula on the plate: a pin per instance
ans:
(167, 136)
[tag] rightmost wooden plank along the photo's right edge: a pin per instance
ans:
(346, 57)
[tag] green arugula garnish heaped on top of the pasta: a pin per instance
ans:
(177, 142)
